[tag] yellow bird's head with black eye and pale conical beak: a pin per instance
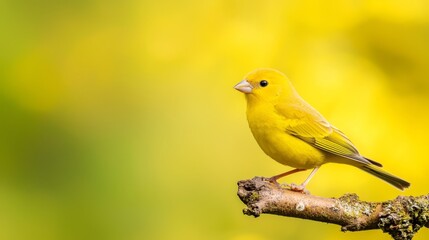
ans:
(265, 84)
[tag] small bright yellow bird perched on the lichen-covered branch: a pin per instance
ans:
(295, 134)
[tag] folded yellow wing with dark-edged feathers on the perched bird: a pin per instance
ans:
(306, 123)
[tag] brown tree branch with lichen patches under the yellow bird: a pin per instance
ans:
(401, 217)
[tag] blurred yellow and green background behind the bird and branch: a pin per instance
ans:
(119, 119)
